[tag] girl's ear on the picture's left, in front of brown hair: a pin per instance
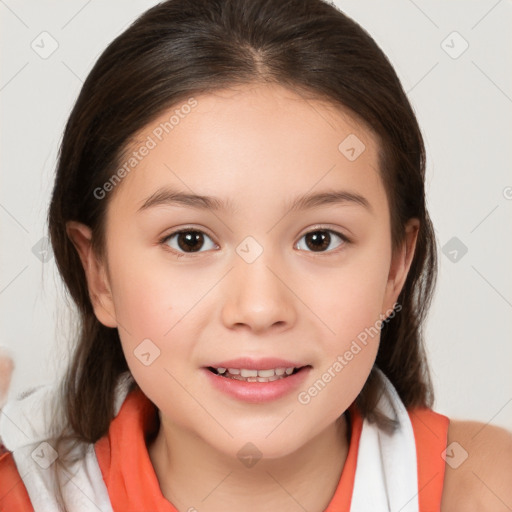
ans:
(95, 272)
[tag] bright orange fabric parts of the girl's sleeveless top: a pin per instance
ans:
(133, 486)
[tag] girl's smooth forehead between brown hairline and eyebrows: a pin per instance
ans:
(248, 140)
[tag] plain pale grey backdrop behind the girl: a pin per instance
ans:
(463, 103)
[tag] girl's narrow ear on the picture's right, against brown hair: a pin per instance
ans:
(400, 265)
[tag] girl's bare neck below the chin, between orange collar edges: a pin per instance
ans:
(192, 475)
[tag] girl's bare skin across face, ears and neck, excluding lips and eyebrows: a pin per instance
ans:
(258, 146)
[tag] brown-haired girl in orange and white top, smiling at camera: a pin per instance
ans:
(239, 215)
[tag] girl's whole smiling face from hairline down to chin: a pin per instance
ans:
(255, 273)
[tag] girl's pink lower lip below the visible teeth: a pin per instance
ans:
(257, 392)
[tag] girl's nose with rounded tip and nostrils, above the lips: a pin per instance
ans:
(258, 297)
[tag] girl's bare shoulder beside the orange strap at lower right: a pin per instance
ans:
(478, 473)
